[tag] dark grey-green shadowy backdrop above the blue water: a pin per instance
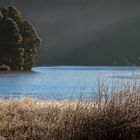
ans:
(85, 32)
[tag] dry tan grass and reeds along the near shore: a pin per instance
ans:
(113, 117)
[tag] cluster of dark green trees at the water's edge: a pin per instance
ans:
(19, 41)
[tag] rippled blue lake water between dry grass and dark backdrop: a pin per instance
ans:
(65, 82)
